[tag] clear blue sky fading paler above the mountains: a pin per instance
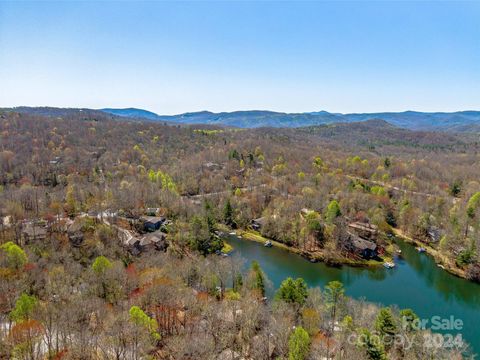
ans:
(174, 57)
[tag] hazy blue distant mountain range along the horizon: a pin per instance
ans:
(461, 121)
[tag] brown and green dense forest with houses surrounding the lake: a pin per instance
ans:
(112, 235)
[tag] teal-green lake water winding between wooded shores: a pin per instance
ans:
(416, 282)
